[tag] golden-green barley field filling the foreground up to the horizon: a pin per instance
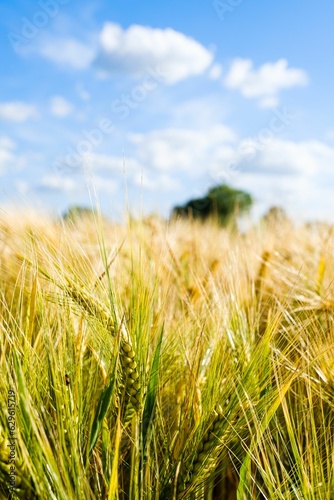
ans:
(156, 360)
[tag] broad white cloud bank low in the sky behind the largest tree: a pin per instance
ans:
(182, 163)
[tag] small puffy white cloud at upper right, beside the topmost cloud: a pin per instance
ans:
(264, 82)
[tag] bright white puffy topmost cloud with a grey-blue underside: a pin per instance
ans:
(130, 51)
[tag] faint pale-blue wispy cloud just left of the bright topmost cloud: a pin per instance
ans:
(66, 52)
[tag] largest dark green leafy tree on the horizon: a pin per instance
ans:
(221, 202)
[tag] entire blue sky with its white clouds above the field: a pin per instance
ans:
(169, 98)
